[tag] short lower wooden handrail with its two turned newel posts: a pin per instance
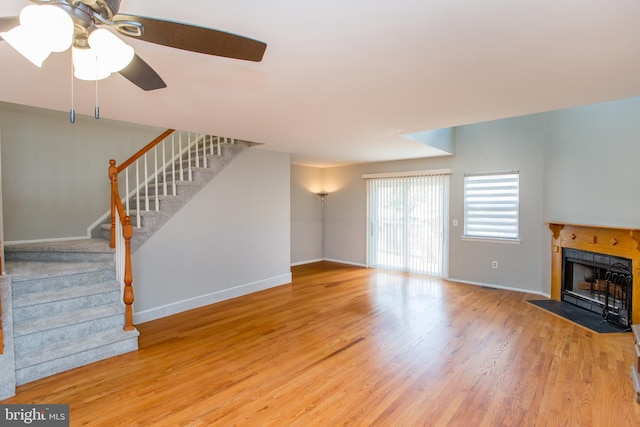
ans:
(127, 233)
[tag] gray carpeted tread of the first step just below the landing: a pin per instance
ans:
(31, 270)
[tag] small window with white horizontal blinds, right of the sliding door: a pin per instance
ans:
(491, 205)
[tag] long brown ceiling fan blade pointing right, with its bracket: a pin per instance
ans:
(197, 39)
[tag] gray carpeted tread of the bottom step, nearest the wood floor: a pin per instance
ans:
(69, 347)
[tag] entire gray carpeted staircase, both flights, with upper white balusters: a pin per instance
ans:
(67, 303)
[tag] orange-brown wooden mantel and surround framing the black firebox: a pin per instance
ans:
(616, 241)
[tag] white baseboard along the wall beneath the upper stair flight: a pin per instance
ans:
(212, 298)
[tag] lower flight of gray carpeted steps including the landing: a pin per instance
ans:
(67, 307)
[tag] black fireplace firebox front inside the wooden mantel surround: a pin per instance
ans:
(599, 283)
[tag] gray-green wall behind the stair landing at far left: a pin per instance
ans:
(55, 181)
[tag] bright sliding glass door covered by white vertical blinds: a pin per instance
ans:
(407, 223)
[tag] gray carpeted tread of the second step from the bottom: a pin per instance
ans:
(65, 319)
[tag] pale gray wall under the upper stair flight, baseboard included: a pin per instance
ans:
(231, 239)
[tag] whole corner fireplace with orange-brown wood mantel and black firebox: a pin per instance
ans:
(595, 267)
